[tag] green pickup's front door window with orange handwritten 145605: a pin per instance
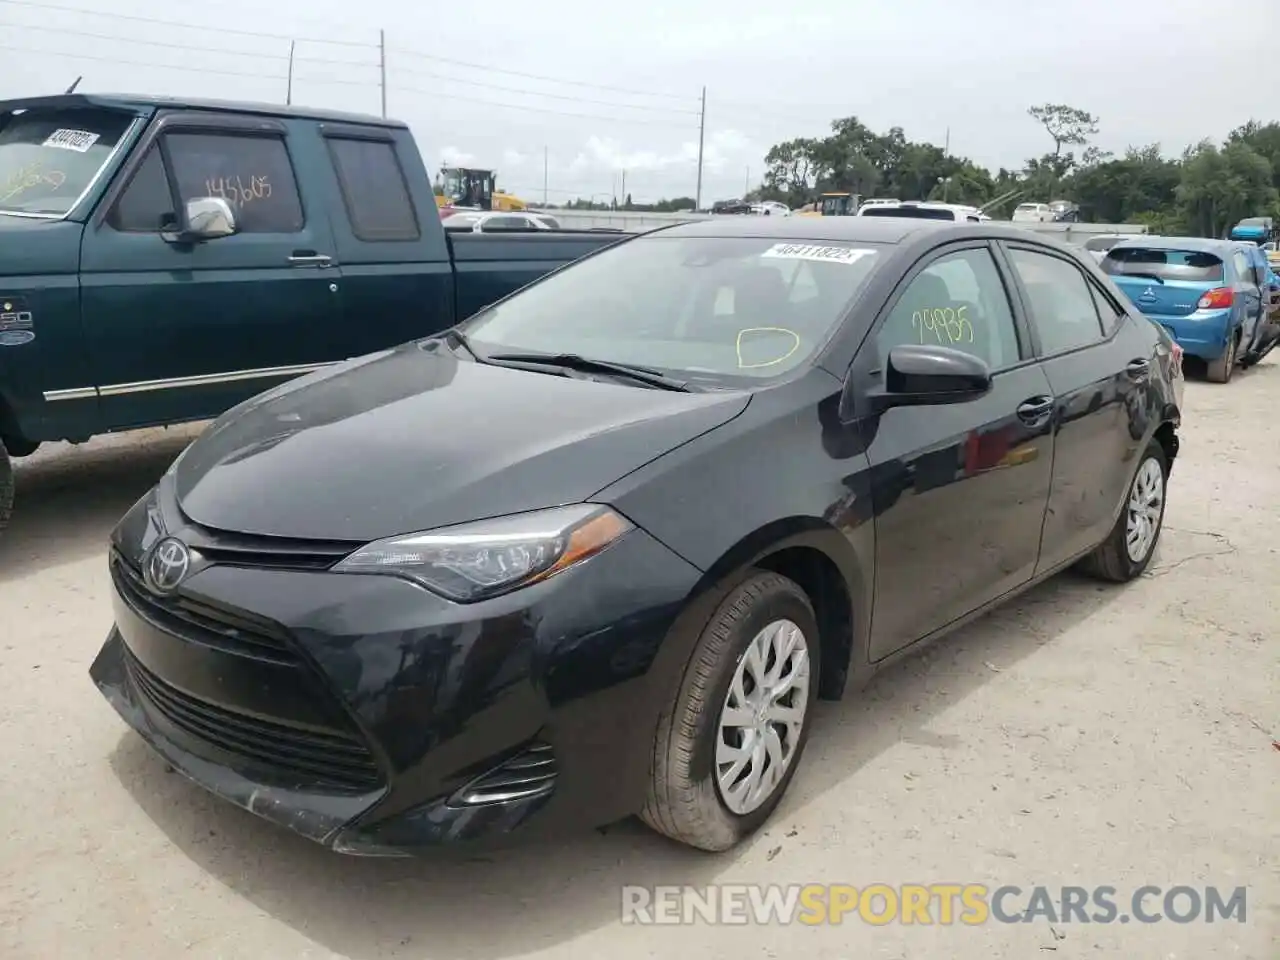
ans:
(253, 173)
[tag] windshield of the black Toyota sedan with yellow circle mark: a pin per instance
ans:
(721, 310)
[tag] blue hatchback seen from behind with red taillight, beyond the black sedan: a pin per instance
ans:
(1208, 294)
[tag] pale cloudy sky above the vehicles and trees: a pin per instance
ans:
(565, 98)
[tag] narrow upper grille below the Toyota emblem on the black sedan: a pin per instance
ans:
(203, 623)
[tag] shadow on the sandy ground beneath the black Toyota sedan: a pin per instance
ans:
(533, 898)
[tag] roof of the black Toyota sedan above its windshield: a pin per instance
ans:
(854, 230)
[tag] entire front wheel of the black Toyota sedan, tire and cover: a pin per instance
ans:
(730, 742)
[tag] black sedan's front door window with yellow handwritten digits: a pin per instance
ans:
(957, 301)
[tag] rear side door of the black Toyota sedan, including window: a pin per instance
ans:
(1098, 372)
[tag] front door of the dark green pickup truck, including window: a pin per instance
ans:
(184, 331)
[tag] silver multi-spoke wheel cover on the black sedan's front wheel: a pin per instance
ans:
(762, 717)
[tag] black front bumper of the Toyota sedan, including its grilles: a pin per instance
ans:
(378, 719)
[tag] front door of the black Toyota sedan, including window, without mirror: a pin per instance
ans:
(961, 490)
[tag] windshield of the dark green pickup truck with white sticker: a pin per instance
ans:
(49, 158)
